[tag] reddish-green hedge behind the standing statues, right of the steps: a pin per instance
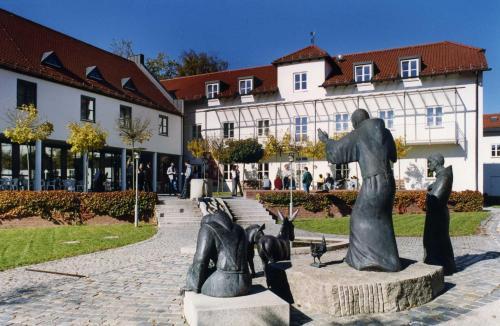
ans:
(463, 201)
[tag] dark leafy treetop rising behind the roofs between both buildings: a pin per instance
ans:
(194, 63)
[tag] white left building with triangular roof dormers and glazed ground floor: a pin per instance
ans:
(72, 81)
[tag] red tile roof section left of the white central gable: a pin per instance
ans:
(192, 88)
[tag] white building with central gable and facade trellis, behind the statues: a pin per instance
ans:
(431, 95)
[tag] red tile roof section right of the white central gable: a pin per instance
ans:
(436, 58)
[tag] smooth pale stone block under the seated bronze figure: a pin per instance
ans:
(260, 307)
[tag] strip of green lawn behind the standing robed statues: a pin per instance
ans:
(405, 225)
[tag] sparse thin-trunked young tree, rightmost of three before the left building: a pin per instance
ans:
(132, 132)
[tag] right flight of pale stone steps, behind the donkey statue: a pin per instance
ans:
(249, 211)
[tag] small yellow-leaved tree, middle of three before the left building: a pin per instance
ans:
(84, 138)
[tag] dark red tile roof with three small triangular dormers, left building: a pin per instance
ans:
(23, 42)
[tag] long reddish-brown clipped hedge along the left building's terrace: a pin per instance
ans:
(65, 207)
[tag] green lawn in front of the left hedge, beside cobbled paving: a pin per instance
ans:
(26, 246)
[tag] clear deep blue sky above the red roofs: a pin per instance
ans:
(255, 32)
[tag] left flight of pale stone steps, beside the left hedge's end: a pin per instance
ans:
(172, 210)
